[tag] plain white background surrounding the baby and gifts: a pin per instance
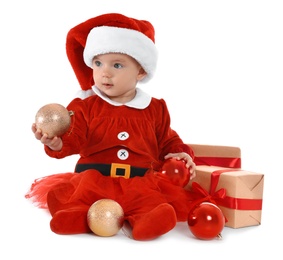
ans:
(220, 71)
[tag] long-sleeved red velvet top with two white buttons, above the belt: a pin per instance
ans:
(99, 131)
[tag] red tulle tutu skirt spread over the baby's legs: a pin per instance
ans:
(136, 195)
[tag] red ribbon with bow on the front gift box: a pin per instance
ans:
(222, 199)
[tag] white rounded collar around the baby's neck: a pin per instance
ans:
(140, 101)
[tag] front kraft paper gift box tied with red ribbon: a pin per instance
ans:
(242, 204)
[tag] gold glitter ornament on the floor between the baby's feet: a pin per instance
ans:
(105, 217)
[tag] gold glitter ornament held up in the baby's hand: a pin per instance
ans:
(53, 119)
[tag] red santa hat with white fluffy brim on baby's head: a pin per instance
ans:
(107, 33)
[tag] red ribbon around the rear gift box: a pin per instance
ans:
(228, 162)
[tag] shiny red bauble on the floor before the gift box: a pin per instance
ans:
(206, 221)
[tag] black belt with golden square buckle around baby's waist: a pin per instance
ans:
(113, 169)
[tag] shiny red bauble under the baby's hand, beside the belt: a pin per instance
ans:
(176, 171)
